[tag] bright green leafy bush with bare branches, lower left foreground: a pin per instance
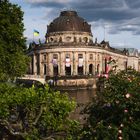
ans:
(35, 114)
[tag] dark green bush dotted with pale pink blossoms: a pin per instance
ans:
(114, 113)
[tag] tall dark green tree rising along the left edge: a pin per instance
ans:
(13, 61)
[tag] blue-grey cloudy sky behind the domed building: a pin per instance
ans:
(119, 19)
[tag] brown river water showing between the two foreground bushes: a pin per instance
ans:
(82, 97)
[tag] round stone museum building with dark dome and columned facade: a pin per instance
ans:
(70, 55)
